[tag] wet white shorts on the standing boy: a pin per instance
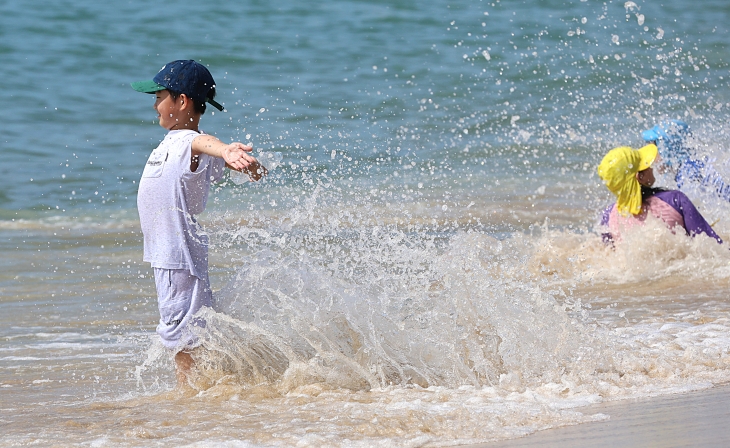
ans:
(179, 296)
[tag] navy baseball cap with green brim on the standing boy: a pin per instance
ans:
(184, 76)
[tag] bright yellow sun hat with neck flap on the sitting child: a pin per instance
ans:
(618, 170)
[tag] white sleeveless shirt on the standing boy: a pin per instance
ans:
(168, 198)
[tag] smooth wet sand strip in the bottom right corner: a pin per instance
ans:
(693, 419)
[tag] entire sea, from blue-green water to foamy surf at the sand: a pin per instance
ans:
(422, 266)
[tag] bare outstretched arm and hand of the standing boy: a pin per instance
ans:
(235, 154)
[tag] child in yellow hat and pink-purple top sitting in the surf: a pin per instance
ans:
(628, 175)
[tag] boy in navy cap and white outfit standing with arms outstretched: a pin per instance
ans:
(174, 187)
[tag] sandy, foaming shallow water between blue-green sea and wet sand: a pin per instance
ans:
(464, 338)
